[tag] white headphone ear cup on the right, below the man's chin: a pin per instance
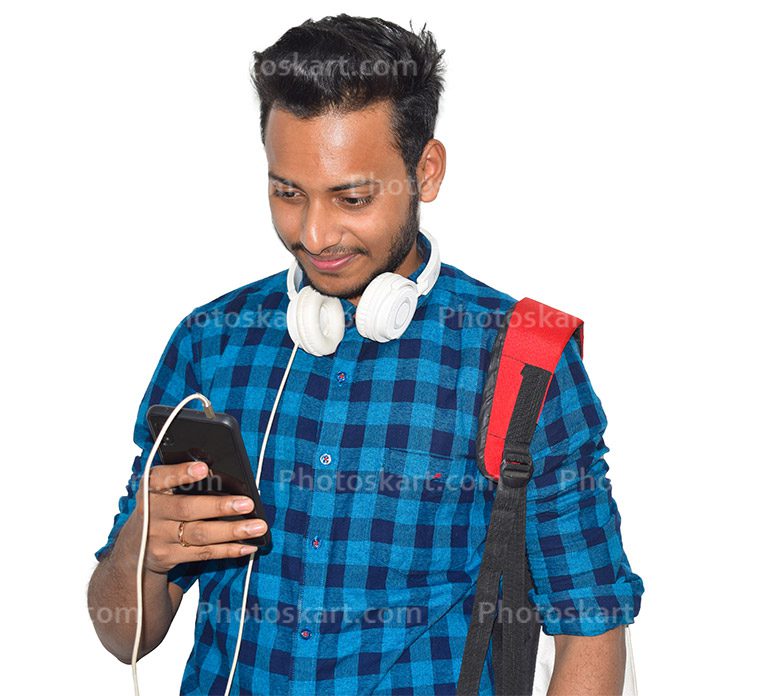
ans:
(386, 307)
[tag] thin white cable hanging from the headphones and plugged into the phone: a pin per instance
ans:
(146, 521)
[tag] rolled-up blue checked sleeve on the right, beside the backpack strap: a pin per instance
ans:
(583, 582)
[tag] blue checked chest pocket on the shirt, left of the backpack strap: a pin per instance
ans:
(421, 512)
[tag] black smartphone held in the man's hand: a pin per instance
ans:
(192, 436)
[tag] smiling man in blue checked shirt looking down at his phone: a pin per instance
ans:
(365, 590)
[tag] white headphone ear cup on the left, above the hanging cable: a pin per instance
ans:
(316, 322)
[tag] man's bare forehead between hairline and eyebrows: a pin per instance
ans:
(325, 148)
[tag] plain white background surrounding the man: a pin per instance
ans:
(607, 158)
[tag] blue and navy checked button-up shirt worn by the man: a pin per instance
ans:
(377, 509)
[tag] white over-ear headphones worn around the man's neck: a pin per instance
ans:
(316, 322)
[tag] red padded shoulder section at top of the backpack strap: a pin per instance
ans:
(529, 343)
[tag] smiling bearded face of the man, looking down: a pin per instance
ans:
(340, 197)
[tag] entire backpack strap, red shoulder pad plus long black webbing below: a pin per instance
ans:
(524, 357)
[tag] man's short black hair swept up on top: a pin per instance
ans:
(343, 63)
